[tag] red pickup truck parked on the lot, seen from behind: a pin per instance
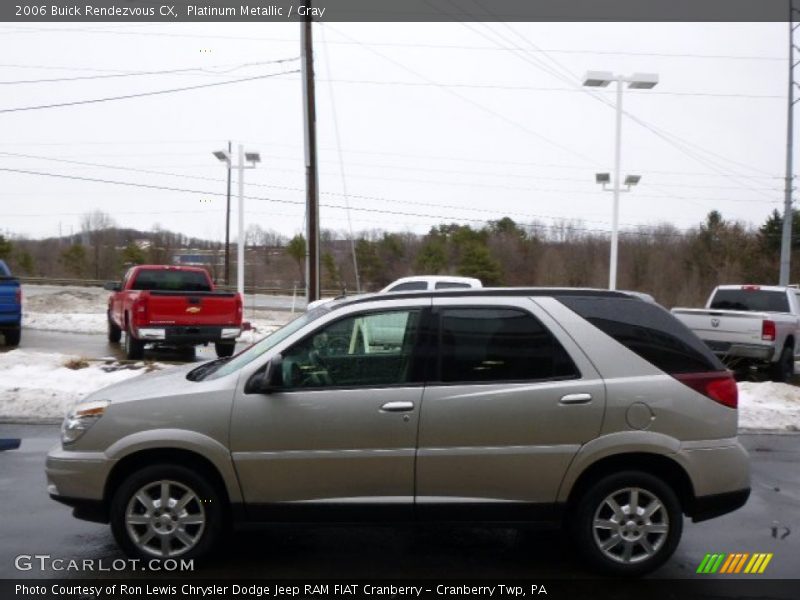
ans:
(172, 306)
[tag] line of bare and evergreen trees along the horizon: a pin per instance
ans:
(676, 267)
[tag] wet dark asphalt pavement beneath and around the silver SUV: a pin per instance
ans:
(31, 523)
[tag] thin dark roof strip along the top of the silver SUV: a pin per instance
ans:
(486, 292)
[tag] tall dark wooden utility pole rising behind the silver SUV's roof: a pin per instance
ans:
(312, 181)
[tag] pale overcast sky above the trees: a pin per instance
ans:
(436, 123)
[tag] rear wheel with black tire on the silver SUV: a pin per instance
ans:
(661, 530)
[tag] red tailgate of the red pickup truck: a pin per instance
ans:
(201, 308)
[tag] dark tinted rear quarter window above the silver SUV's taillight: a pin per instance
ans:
(647, 330)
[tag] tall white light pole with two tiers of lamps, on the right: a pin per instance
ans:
(640, 81)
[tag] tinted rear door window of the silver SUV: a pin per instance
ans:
(498, 344)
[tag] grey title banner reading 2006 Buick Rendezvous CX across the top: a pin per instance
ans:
(137, 11)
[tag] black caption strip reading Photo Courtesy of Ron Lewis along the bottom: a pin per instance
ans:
(426, 589)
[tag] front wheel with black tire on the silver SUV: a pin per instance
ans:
(205, 505)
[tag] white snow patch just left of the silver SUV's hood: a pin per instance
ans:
(39, 386)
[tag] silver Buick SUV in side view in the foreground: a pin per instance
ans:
(597, 410)
